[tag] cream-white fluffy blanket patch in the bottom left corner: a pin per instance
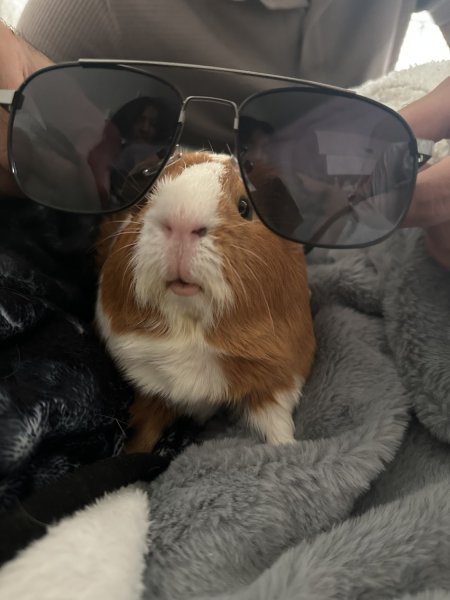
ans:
(96, 553)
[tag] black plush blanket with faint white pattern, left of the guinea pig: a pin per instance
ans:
(61, 401)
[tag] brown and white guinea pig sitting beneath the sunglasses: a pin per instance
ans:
(202, 306)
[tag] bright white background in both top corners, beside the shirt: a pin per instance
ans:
(423, 42)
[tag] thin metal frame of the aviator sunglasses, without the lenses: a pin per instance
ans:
(10, 100)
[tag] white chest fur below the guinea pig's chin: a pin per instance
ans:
(182, 368)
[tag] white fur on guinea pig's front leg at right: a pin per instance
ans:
(274, 420)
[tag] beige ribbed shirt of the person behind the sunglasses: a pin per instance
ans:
(342, 42)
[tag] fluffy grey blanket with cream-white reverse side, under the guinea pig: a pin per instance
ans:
(358, 507)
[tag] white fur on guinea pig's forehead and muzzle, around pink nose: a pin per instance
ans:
(191, 198)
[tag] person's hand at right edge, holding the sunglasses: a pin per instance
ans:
(429, 118)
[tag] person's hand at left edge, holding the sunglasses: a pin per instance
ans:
(17, 61)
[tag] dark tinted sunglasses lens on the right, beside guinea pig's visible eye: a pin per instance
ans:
(325, 167)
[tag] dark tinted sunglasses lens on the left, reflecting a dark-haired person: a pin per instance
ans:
(91, 139)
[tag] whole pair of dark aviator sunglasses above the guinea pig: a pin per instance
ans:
(322, 166)
